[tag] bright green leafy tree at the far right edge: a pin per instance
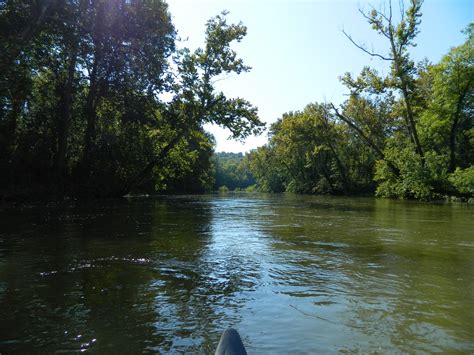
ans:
(447, 120)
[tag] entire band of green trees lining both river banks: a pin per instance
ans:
(96, 99)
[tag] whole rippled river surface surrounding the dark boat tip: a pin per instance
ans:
(294, 274)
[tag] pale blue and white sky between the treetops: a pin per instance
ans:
(297, 50)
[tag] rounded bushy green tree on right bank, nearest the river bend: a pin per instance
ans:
(312, 152)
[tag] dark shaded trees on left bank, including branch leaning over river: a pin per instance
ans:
(82, 98)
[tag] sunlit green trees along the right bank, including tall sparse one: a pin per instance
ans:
(408, 134)
